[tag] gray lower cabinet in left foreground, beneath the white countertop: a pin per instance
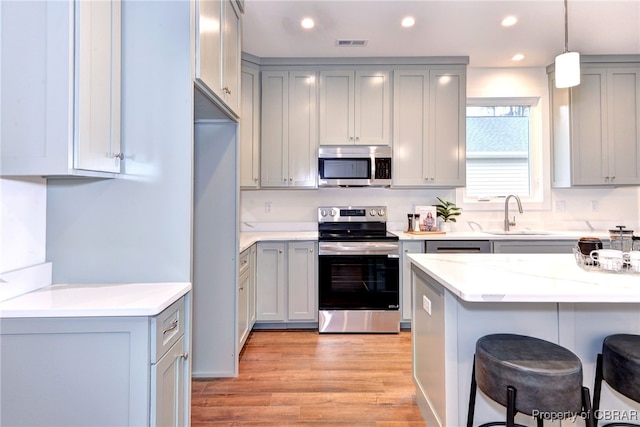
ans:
(98, 371)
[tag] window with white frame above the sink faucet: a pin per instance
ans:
(504, 151)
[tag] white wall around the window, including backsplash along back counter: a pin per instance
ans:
(566, 209)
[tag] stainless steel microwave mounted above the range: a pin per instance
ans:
(354, 166)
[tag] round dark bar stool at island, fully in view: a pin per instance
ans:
(528, 375)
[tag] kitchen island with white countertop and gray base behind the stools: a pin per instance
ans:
(457, 298)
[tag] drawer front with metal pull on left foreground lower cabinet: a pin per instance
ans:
(167, 328)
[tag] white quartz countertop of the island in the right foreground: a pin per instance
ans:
(526, 278)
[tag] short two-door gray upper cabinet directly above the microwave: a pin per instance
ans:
(355, 107)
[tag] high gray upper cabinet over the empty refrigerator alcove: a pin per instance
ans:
(218, 52)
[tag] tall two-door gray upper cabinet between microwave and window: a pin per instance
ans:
(429, 137)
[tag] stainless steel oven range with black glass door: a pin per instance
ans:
(358, 265)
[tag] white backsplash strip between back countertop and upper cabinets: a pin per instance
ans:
(296, 210)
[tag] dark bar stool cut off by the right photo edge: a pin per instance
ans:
(619, 366)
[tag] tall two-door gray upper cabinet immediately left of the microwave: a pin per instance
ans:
(289, 129)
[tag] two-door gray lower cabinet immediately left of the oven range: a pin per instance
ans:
(286, 282)
